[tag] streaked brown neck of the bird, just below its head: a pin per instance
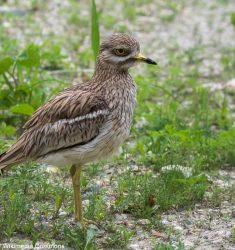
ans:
(103, 71)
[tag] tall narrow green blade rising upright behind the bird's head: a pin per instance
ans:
(95, 35)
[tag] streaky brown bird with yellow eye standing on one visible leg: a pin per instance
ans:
(87, 121)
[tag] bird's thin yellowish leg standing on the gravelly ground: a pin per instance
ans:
(75, 172)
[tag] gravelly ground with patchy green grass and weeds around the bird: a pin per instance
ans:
(173, 184)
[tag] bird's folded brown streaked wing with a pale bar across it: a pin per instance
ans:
(71, 118)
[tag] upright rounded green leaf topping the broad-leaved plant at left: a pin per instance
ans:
(30, 57)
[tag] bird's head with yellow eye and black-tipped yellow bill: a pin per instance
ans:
(121, 51)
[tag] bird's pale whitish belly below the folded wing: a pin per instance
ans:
(103, 146)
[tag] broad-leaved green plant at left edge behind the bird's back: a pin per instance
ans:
(22, 88)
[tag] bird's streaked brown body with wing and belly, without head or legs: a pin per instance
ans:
(81, 124)
